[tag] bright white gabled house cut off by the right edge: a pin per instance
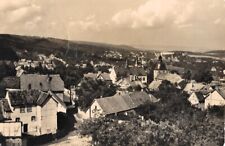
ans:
(216, 98)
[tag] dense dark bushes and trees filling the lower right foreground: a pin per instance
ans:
(172, 121)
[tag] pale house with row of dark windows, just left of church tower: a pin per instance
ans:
(138, 74)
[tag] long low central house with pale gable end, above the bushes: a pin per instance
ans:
(118, 104)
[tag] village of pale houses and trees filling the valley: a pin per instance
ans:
(37, 98)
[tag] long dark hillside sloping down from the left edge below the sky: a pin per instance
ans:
(9, 44)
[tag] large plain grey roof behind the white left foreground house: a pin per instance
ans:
(42, 82)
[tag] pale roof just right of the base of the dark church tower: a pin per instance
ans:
(173, 78)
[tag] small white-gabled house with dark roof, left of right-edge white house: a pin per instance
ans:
(197, 99)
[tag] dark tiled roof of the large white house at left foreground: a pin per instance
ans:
(31, 98)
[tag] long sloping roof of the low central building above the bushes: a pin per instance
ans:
(120, 103)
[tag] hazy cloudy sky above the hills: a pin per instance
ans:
(150, 24)
